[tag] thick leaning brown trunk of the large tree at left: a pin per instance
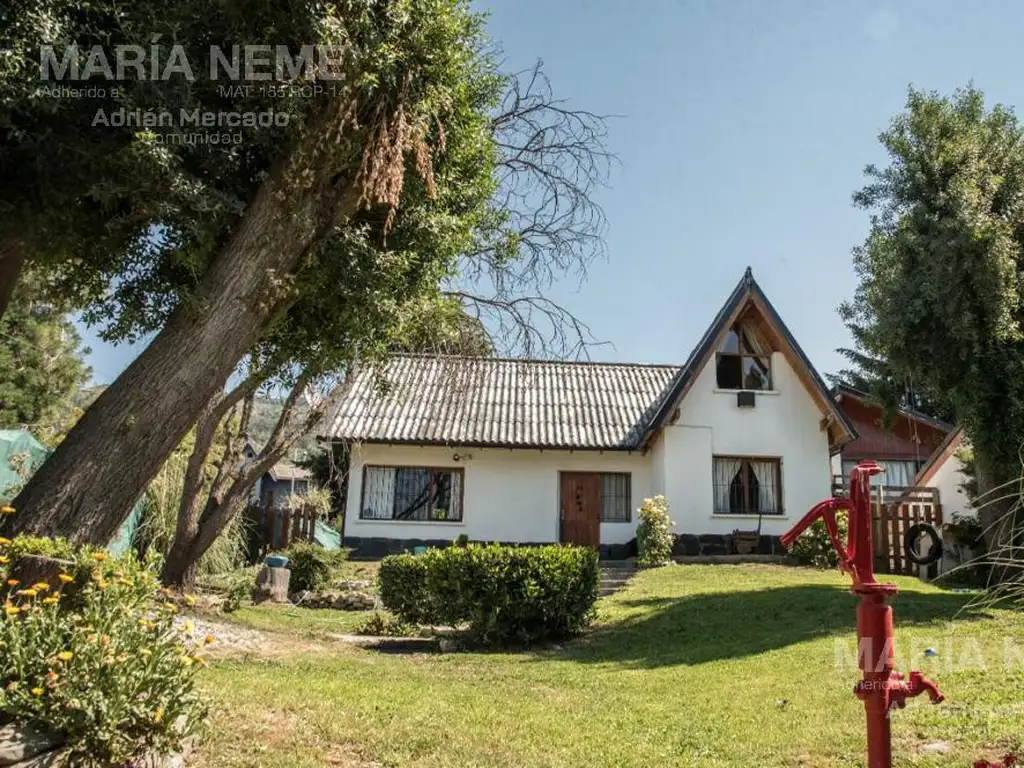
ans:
(88, 489)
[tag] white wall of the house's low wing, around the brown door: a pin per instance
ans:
(509, 496)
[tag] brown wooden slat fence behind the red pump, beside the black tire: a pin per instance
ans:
(894, 510)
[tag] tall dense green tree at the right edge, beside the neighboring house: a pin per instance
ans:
(941, 274)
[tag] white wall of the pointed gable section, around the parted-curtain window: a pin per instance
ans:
(785, 423)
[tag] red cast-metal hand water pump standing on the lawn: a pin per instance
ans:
(882, 689)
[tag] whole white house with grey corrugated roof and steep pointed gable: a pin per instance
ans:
(541, 451)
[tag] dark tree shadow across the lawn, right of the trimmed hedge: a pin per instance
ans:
(731, 625)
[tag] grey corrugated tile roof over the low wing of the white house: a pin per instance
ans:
(503, 403)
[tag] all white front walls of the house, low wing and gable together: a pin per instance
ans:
(514, 495)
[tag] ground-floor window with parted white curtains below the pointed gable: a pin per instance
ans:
(747, 486)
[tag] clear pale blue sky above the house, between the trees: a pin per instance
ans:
(744, 130)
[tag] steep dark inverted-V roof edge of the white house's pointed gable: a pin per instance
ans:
(748, 293)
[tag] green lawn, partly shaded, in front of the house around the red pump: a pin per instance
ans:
(709, 666)
